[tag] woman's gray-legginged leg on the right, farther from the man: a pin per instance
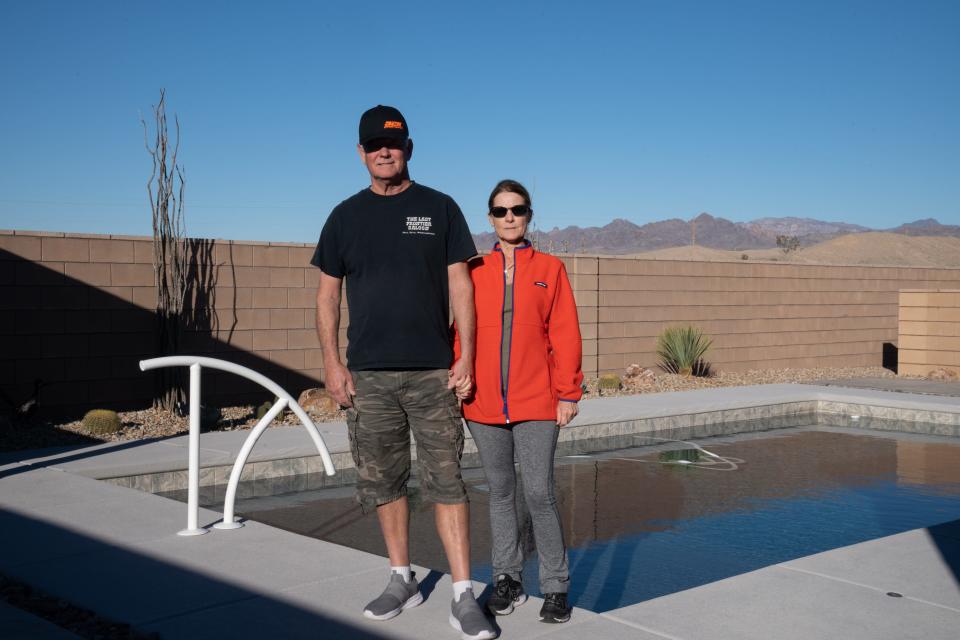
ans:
(536, 442)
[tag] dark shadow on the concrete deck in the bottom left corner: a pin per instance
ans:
(126, 586)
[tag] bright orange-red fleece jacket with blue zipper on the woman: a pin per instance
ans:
(545, 348)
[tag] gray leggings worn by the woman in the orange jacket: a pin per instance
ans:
(534, 443)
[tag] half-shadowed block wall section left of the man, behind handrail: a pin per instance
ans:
(77, 315)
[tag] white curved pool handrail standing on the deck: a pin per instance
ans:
(193, 474)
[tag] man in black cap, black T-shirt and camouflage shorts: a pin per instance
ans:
(402, 249)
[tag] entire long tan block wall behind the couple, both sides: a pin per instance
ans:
(76, 312)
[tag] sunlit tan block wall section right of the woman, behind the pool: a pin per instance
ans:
(758, 315)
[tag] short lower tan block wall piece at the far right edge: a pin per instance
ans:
(929, 330)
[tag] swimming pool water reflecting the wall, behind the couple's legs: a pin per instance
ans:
(640, 523)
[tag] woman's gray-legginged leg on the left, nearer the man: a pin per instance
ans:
(495, 445)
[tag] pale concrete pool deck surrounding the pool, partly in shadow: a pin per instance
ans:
(114, 550)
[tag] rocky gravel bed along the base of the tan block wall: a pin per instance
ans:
(16, 435)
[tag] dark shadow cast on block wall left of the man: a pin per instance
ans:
(67, 346)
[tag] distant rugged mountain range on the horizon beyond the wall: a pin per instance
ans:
(624, 237)
